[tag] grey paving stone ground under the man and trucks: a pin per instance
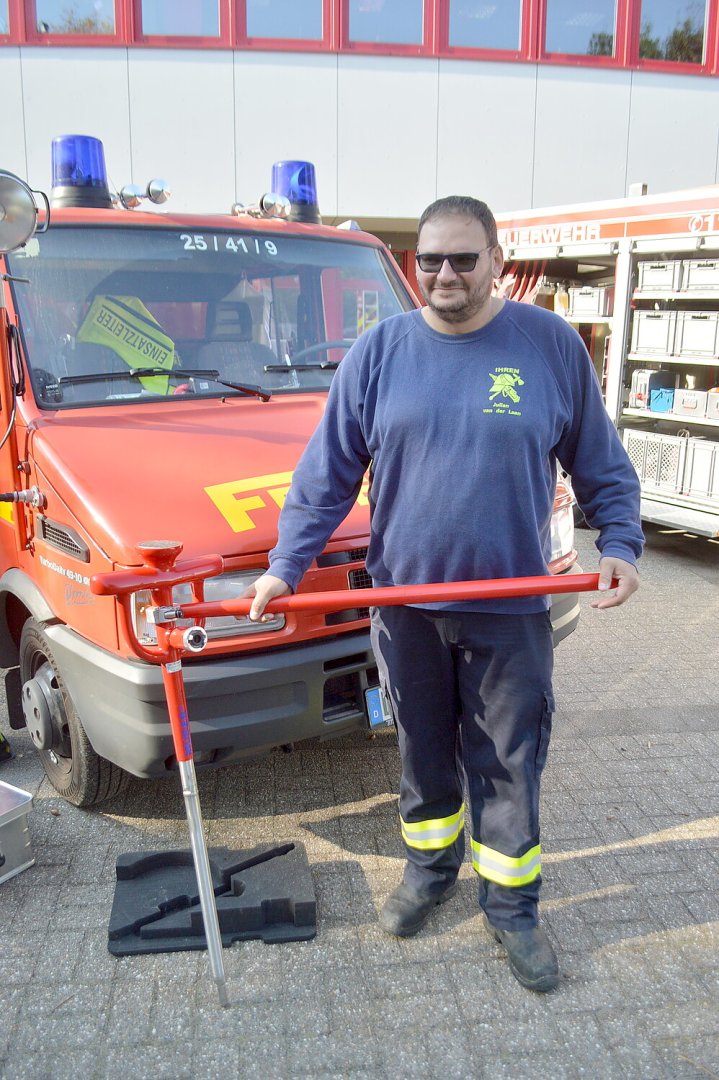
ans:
(631, 835)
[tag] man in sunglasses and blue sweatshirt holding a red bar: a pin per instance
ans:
(462, 411)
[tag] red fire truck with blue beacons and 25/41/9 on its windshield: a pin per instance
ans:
(160, 376)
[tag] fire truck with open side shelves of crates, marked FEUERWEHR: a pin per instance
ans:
(640, 279)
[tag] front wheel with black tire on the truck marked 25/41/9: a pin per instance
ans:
(72, 765)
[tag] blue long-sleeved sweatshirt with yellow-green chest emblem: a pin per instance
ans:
(464, 434)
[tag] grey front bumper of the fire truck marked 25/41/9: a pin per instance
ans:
(239, 706)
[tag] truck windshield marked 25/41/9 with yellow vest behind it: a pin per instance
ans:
(112, 315)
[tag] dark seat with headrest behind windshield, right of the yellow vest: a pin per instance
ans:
(230, 348)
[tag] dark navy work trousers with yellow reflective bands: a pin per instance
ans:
(472, 700)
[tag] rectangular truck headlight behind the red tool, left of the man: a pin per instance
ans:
(226, 587)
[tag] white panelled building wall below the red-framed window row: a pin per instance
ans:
(387, 134)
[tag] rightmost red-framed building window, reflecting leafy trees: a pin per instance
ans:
(673, 32)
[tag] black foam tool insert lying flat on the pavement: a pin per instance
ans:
(266, 893)
